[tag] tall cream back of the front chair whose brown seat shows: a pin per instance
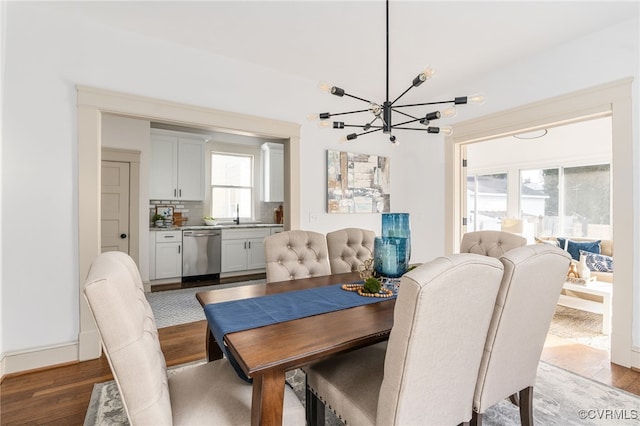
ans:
(441, 318)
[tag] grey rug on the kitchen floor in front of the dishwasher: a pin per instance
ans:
(174, 307)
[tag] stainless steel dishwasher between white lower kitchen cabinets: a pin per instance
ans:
(201, 254)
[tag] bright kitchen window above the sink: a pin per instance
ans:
(231, 185)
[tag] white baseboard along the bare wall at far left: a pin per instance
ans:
(17, 362)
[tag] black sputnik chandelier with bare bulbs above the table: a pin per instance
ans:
(382, 113)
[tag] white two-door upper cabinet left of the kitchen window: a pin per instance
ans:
(177, 168)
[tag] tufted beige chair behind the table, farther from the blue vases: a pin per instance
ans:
(296, 254)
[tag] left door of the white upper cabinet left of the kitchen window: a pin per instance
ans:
(163, 176)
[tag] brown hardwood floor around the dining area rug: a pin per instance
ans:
(60, 396)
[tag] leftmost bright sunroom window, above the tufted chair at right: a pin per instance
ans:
(486, 201)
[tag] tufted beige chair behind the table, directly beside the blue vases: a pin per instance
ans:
(349, 248)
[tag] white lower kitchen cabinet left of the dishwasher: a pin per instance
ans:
(166, 255)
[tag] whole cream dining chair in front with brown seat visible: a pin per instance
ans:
(427, 371)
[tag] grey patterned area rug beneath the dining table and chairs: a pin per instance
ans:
(560, 398)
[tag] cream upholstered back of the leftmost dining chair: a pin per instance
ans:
(127, 327)
